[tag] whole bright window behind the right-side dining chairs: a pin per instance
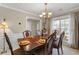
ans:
(62, 25)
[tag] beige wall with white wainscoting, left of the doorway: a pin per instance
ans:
(15, 30)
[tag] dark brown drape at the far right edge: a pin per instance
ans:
(76, 41)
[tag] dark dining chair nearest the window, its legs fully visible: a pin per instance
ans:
(58, 43)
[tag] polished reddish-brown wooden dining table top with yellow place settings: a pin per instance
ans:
(30, 43)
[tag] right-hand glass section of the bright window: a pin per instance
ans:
(65, 25)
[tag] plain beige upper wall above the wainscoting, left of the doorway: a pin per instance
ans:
(13, 18)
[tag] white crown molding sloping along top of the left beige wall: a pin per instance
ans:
(16, 9)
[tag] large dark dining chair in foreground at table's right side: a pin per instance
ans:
(47, 48)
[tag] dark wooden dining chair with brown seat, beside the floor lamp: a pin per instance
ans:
(18, 51)
